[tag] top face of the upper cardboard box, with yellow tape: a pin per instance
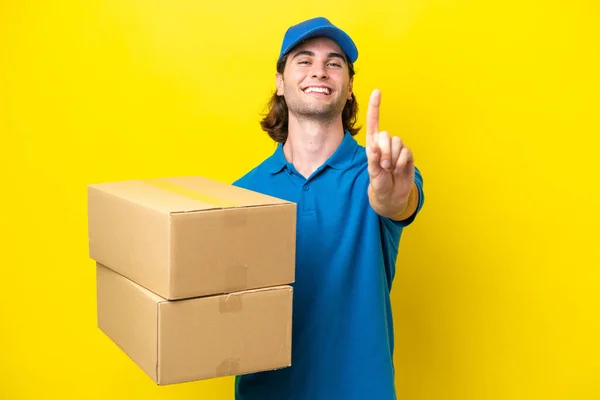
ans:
(185, 194)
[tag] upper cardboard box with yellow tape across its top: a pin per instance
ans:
(191, 236)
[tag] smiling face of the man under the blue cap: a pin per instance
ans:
(315, 82)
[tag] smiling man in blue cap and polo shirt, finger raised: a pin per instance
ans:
(353, 203)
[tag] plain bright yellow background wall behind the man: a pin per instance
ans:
(497, 292)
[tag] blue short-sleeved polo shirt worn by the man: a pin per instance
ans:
(342, 332)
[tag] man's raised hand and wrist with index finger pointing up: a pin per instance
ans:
(390, 164)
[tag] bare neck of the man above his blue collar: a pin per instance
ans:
(311, 142)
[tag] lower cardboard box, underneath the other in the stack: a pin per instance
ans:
(186, 340)
